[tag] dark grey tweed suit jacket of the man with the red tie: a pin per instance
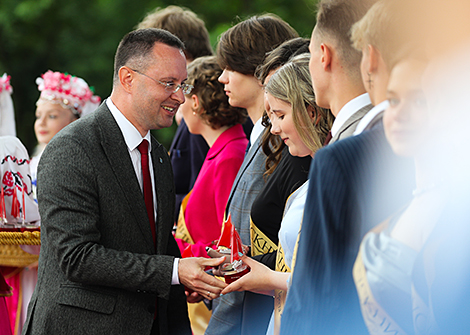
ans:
(98, 270)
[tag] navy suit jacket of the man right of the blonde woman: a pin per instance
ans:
(351, 190)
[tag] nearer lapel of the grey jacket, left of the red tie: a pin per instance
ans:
(120, 162)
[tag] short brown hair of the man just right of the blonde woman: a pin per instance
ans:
(334, 20)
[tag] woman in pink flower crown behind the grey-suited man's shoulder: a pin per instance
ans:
(64, 98)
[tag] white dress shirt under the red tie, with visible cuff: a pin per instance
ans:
(133, 138)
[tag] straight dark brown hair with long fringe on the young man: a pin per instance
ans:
(244, 46)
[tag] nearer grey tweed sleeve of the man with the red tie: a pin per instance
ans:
(71, 205)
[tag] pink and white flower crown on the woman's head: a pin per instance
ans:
(69, 91)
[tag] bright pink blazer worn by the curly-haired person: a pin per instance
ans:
(206, 205)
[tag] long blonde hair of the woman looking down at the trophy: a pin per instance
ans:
(292, 84)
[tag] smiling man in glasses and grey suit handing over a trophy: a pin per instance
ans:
(100, 271)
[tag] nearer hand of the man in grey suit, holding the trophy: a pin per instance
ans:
(192, 275)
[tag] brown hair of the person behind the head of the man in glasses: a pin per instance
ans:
(183, 23)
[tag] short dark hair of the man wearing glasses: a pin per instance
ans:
(137, 45)
